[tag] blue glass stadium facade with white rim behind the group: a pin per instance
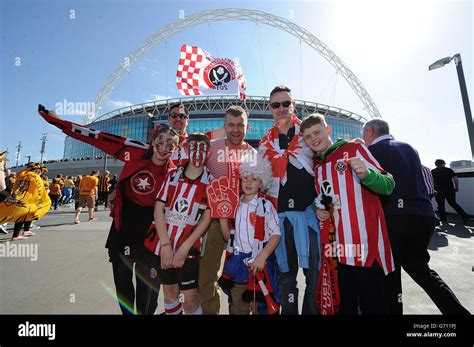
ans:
(206, 113)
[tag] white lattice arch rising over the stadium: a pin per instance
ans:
(235, 14)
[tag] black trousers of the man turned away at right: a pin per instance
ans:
(409, 238)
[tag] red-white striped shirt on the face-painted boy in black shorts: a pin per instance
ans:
(185, 202)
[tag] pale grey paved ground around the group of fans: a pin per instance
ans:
(72, 275)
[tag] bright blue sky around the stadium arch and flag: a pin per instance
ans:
(53, 51)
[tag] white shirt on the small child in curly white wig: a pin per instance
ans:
(245, 220)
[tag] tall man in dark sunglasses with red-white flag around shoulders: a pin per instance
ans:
(293, 193)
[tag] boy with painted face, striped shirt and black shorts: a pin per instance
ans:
(182, 216)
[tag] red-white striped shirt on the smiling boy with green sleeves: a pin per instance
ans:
(361, 233)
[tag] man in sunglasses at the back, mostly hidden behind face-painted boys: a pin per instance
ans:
(178, 119)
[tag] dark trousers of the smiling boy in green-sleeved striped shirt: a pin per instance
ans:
(361, 288)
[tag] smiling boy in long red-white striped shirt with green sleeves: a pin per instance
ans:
(350, 175)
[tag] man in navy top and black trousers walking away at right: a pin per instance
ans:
(410, 221)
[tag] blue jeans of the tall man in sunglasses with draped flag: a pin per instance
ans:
(287, 280)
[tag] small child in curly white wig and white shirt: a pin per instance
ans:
(251, 244)
